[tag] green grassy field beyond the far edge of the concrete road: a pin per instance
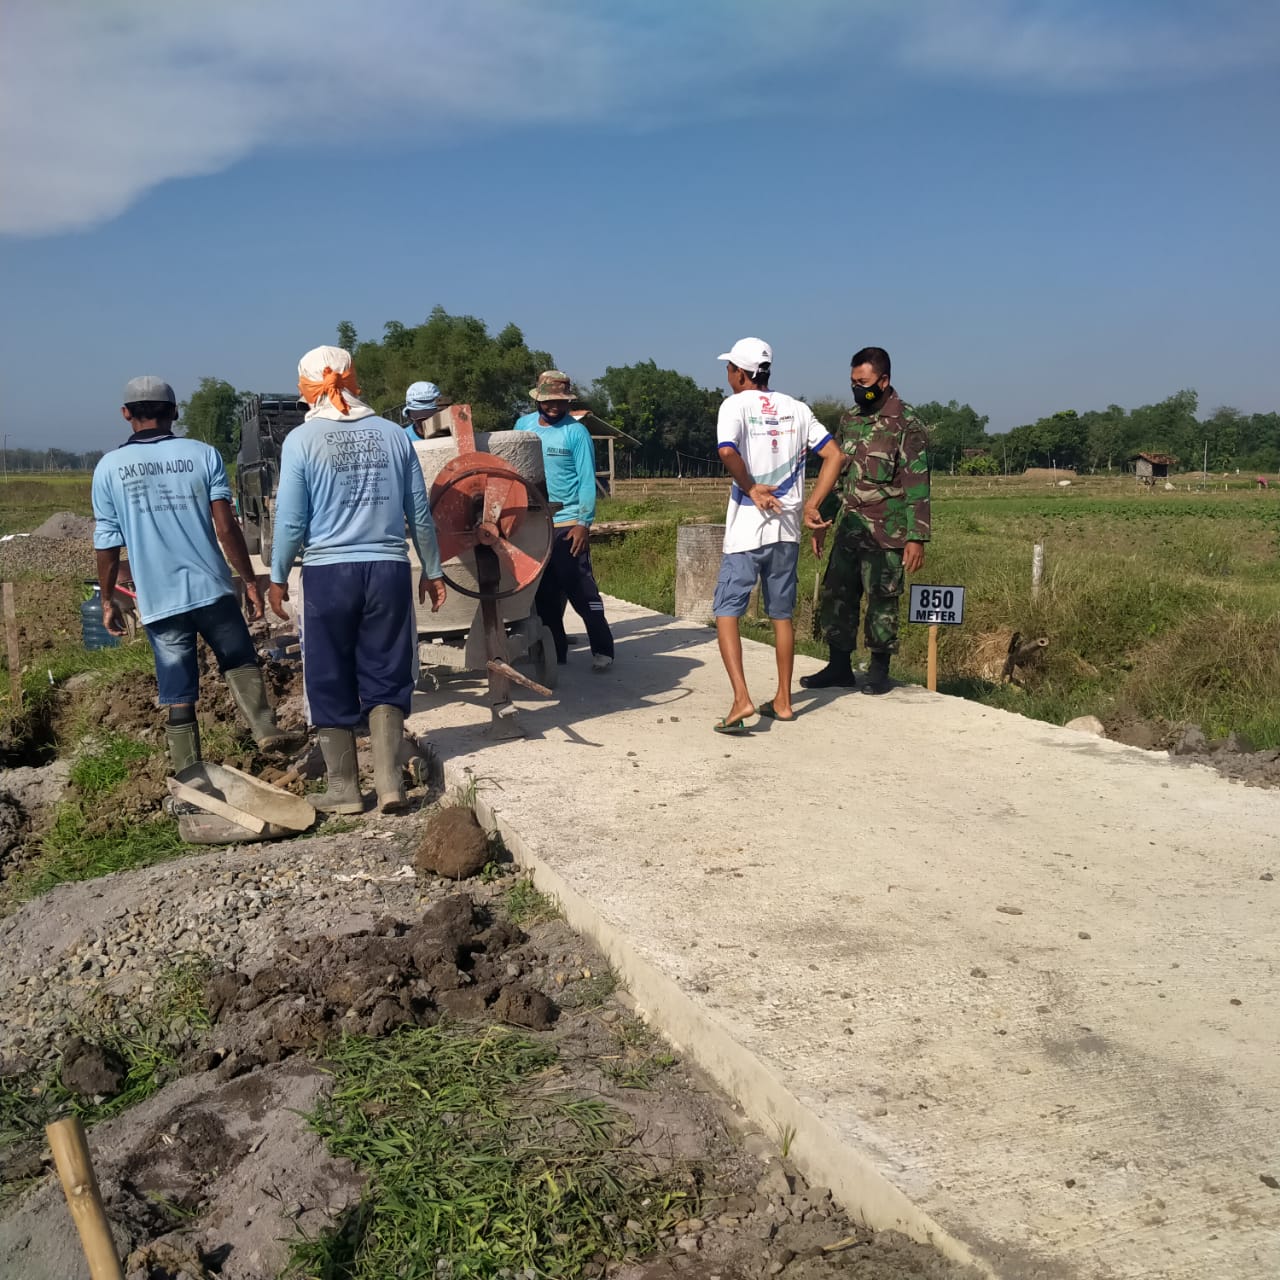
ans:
(1159, 606)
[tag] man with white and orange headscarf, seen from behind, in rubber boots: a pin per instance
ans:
(350, 482)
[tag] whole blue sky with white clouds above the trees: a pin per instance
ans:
(1032, 205)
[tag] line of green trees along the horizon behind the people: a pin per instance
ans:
(670, 420)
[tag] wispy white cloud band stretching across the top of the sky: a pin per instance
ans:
(100, 100)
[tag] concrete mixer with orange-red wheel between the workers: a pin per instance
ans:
(495, 529)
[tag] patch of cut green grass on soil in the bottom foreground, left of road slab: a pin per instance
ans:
(478, 1167)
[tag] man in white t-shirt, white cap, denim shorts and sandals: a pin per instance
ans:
(765, 442)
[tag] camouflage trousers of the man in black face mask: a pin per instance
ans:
(858, 572)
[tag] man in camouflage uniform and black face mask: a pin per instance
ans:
(884, 524)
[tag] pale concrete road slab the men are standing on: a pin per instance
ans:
(1013, 988)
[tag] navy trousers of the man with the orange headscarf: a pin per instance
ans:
(358, 641)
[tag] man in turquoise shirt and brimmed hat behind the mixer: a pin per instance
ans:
(569, 460)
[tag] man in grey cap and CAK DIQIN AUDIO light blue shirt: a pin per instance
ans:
(166, 500)
